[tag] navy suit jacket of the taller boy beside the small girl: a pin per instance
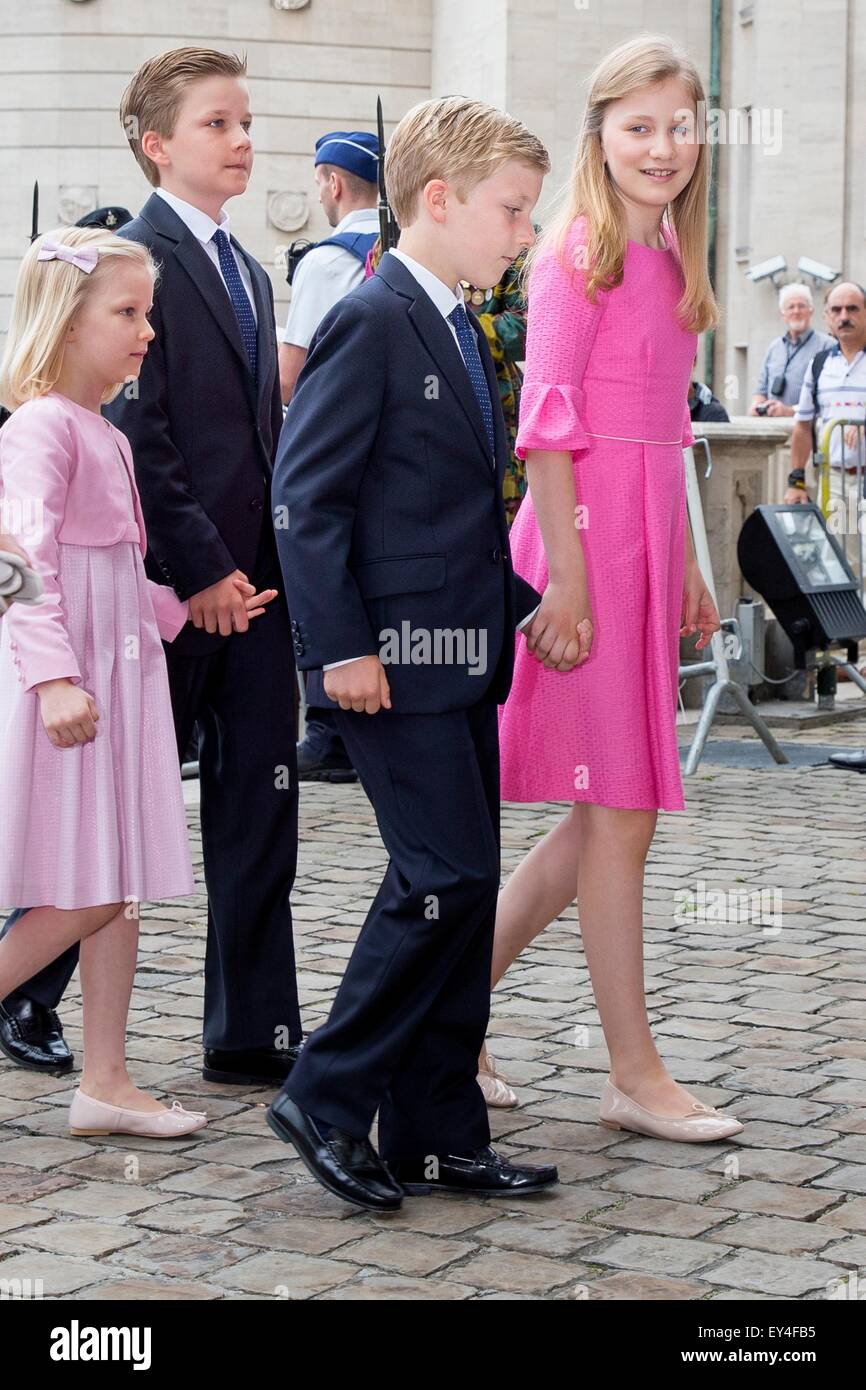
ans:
(204, 432)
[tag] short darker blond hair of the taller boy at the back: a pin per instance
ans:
(154, 98)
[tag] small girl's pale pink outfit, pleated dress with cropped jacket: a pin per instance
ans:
(102, 822)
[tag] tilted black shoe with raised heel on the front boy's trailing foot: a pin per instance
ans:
(348, 1167)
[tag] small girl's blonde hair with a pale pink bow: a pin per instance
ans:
(49, 294)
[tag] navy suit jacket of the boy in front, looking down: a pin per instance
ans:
(389, 505)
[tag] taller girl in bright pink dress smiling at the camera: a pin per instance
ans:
(618, 293)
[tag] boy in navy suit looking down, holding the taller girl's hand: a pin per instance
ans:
(395, 554)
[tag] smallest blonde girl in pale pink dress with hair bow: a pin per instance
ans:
(90, 782)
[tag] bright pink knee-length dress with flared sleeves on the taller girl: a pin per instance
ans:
(608, 383)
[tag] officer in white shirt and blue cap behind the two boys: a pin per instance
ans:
(347, 180)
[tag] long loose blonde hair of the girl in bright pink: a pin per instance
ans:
(644, 62)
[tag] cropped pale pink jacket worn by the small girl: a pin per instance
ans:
(60, 486)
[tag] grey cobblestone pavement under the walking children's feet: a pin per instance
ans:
(771, 1025)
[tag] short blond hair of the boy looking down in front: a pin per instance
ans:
(458, 140)
